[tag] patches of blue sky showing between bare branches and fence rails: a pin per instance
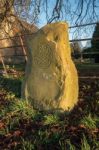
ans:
(71, 17)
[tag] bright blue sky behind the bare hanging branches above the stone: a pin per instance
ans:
(74, 12)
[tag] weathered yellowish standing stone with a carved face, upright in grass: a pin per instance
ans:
(51, 80)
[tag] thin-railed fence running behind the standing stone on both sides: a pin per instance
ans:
(23, 46)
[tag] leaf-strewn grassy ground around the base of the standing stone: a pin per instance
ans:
(22, 127)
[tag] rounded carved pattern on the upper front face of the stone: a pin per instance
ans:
(43, 56)
